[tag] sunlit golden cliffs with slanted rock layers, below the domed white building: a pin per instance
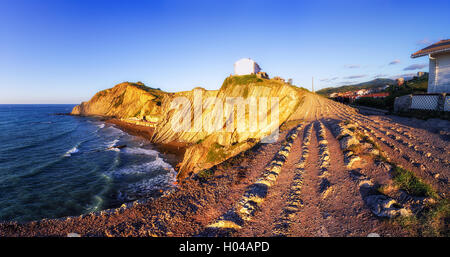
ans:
(206, 147)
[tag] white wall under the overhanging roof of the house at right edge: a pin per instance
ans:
(439, 77)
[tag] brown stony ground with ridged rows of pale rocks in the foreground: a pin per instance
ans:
(333, 172)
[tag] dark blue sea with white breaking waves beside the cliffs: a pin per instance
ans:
(54, 166)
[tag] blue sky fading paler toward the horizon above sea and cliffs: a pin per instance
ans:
(65, 51)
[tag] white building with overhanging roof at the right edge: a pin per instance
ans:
(439, 75)
